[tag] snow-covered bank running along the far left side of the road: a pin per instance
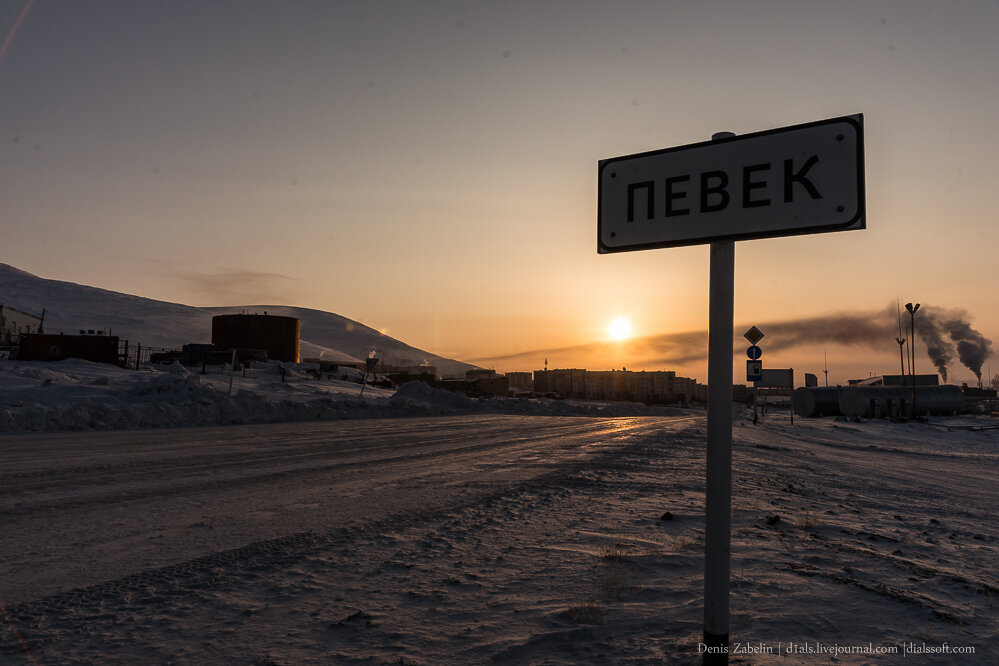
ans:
(80, 395)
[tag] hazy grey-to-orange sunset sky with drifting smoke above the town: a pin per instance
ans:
(430, 168)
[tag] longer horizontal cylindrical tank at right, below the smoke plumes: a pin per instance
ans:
(878, 401)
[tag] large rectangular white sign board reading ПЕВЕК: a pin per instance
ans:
(802, 179)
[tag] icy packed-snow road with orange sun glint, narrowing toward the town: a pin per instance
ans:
(83, 508)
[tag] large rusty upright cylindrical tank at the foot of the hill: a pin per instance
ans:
(279, 336)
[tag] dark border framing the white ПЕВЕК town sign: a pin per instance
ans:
(859, 221)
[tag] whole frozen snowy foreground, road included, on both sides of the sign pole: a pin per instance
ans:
(489, 538)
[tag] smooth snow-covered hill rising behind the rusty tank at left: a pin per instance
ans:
(70, 307)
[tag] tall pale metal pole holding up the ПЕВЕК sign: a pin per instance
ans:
(718, 488)
